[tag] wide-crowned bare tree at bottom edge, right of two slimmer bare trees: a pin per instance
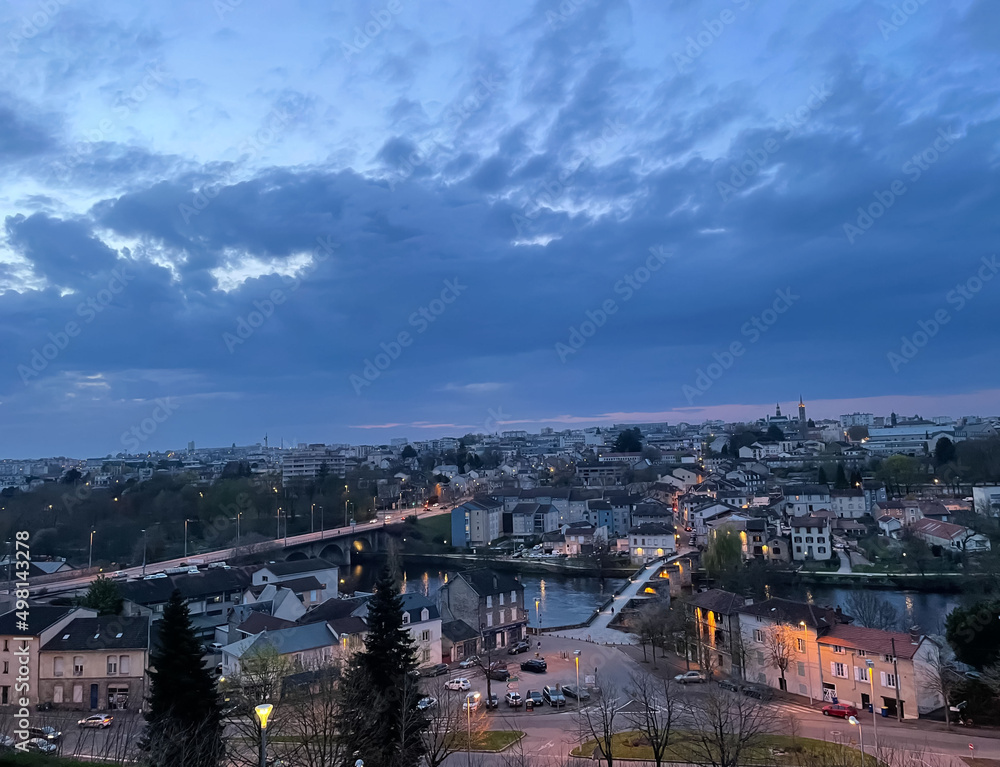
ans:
(726, 727)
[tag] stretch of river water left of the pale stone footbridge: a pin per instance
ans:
(562, 599)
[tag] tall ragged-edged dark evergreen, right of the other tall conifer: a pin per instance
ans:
(378, 691)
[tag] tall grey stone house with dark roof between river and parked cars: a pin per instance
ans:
(488, 600)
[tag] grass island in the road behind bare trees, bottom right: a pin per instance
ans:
(782, 750)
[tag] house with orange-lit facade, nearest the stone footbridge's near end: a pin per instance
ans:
(715, 614)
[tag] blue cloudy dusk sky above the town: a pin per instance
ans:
(350, 222)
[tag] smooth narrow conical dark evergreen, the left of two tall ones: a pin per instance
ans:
(184, 719)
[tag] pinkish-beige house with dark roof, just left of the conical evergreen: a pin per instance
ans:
(96, 664)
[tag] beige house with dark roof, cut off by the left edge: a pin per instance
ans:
(44, 622)
